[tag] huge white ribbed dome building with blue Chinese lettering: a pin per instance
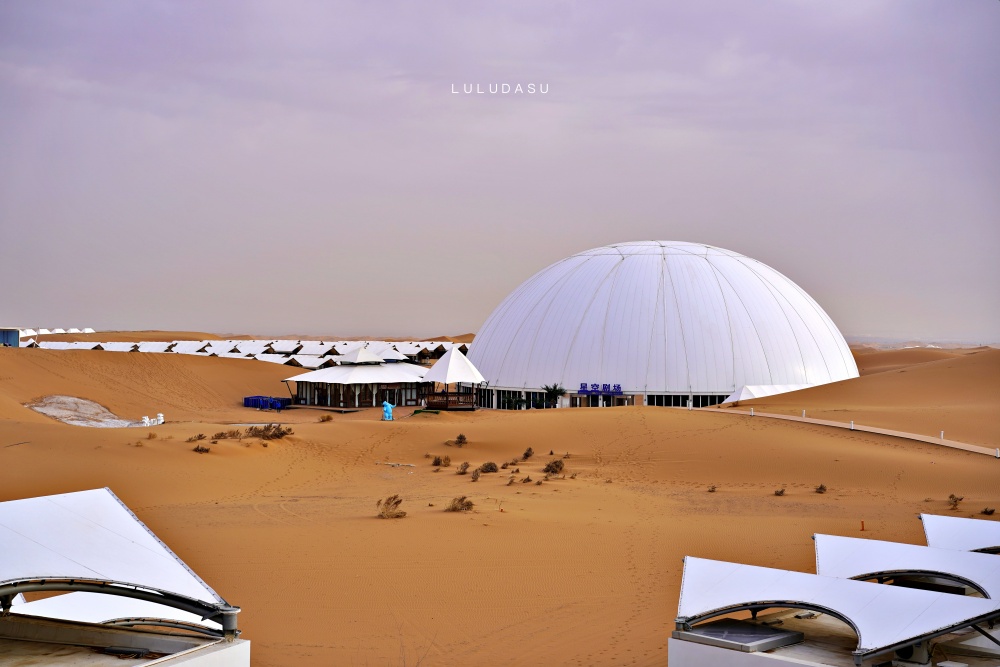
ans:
(656, 323)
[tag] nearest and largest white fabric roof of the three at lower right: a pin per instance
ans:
(881, 615)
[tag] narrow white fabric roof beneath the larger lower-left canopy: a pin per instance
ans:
(97, 608)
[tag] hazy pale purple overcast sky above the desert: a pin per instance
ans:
(317, 168)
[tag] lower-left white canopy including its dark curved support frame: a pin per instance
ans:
(91, 542)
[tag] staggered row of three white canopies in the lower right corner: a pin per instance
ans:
(885, 618)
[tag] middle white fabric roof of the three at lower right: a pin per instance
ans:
(850, 557)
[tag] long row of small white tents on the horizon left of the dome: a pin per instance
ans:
(309, 354)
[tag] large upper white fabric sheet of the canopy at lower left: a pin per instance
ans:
(89, 535)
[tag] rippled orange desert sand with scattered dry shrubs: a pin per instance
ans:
(581, 570)
